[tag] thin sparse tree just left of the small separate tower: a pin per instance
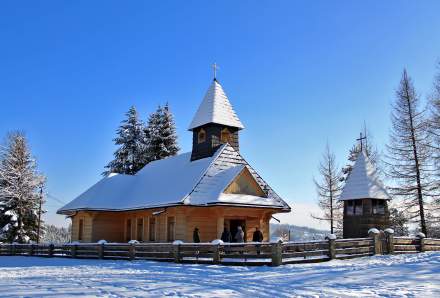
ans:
(329, 189)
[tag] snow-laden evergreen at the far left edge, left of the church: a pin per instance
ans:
(19, 191)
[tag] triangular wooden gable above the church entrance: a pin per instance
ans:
(245, 184)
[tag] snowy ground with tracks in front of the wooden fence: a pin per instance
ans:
(415, 275)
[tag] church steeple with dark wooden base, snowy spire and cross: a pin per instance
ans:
(214, 123)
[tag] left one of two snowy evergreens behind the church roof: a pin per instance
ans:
(129, 157)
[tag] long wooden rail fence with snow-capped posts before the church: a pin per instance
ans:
(250, 254)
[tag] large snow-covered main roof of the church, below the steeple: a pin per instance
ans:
(174, 181)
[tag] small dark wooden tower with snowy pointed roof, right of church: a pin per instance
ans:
(365, 200)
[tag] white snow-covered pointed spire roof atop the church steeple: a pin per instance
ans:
(215, 108)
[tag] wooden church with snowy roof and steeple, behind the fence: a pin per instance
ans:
(210, 188)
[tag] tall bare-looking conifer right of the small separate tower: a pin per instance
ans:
(408, 154)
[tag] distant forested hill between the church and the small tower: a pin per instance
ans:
(297, 233)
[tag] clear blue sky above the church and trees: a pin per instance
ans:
(299, 73)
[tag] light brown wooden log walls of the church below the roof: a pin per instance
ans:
(112, 226)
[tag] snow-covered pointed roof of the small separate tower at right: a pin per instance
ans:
(363, 182)
